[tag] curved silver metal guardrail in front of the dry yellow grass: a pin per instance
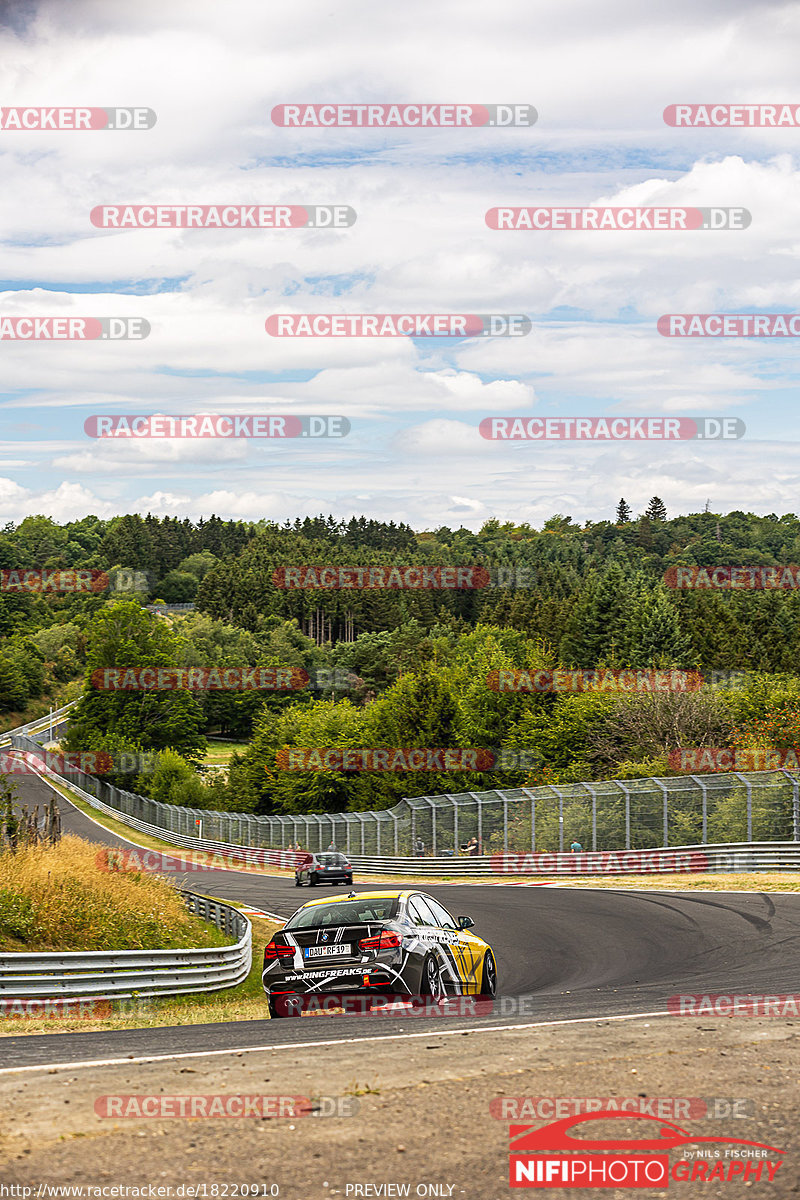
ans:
(117, 975)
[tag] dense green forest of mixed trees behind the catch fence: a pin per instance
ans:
(405, 667)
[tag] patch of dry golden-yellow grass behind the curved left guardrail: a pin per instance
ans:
(61, 898)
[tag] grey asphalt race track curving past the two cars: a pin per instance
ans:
(574, 955)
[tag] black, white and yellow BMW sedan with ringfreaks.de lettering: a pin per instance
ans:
(390, 943)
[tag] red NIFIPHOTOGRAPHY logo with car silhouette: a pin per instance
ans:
(586, 1162)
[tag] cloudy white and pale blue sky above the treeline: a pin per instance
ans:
(599, 77)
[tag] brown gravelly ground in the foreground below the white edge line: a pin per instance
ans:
(423, 1117)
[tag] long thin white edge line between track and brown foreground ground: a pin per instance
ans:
(332, 1042)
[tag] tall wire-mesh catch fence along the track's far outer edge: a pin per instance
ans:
(607, 817)
